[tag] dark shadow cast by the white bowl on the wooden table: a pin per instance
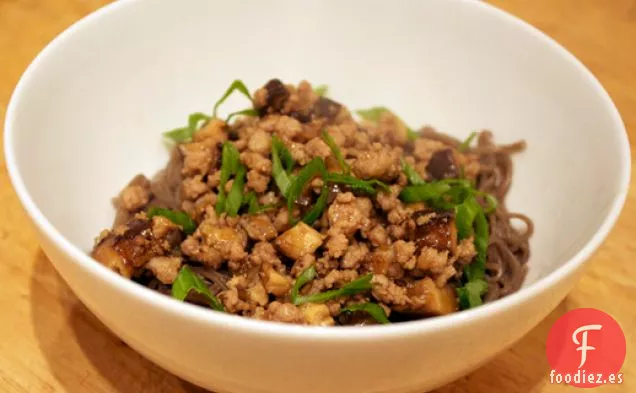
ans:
(83, 355)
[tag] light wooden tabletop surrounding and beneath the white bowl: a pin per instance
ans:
(49, 342)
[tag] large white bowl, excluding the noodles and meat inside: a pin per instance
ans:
(88, 113)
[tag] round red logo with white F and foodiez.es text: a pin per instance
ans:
(586, 348)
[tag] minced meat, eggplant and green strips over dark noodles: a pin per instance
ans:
(293, 211)
